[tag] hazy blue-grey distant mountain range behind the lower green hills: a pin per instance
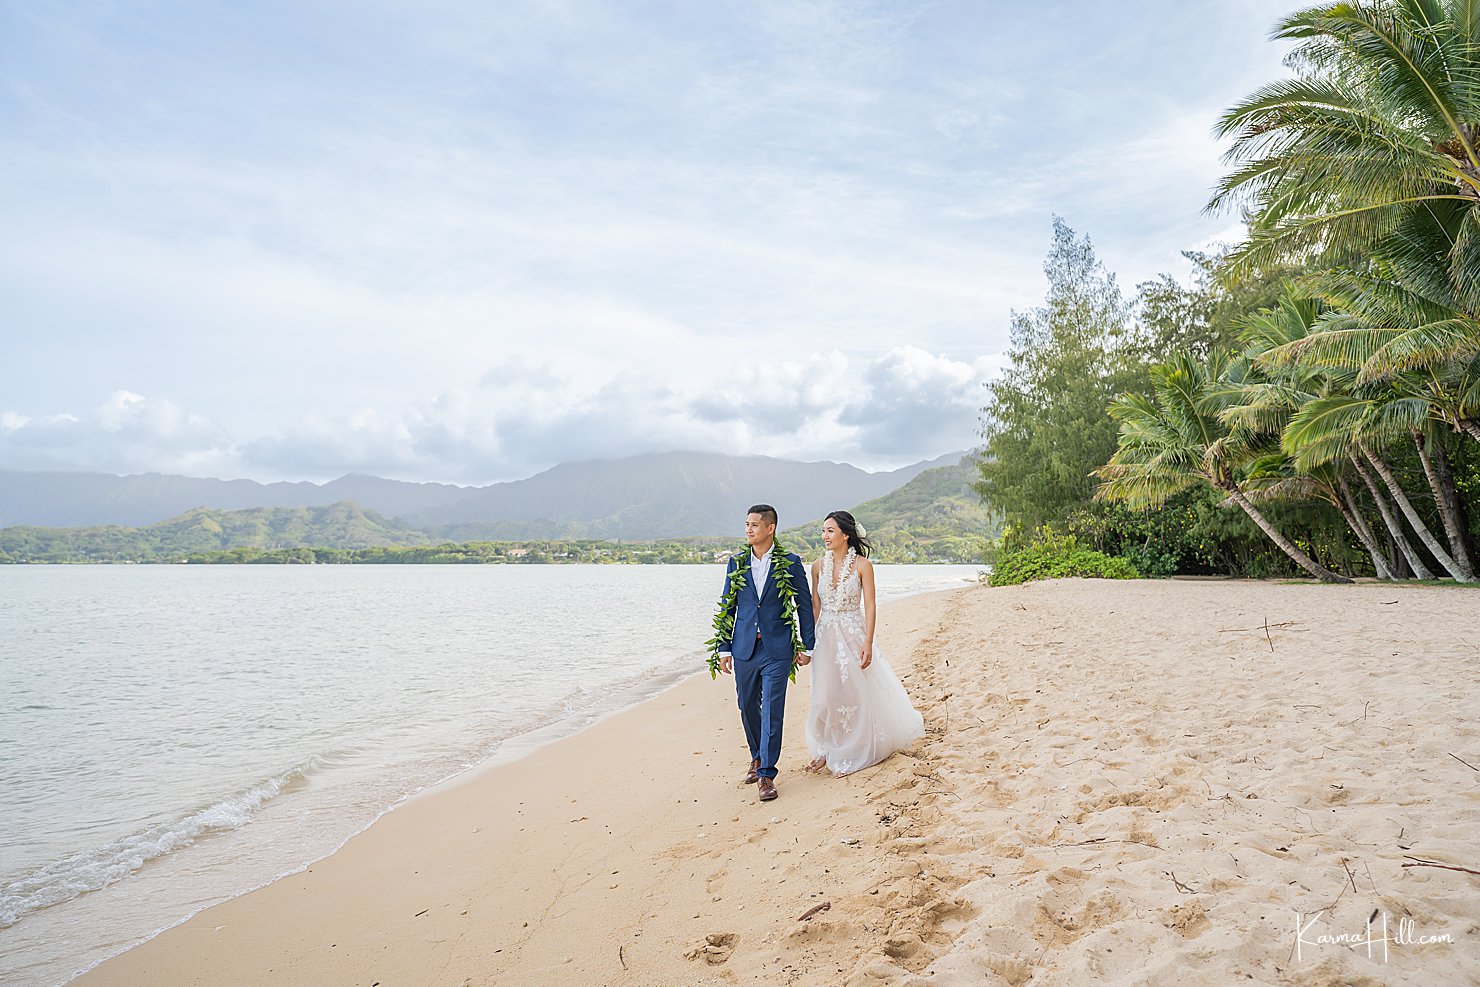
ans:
(656, 496)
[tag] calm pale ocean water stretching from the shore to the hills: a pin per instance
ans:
(175, 736)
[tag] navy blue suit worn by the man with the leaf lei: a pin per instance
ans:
(763, 656)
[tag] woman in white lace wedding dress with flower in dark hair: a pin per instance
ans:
(859, 711)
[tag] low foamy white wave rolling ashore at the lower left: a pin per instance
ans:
(91, 871)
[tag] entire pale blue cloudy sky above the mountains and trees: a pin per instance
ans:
(467, 240)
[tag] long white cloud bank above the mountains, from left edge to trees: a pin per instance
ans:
(522, 417)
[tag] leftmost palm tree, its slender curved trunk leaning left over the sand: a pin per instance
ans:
(1176, 442)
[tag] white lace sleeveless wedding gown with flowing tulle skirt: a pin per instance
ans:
(858, 717)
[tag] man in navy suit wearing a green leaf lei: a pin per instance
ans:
(760, 652)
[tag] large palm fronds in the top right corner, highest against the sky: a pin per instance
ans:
(1380, 122)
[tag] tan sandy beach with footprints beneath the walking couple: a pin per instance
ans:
(1123, 784)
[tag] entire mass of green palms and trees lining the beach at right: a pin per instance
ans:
(1318, 387)
